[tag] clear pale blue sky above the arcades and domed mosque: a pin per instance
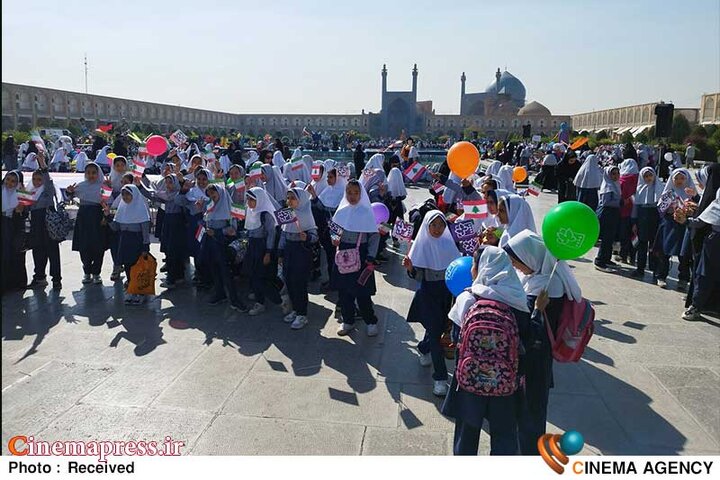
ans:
(325, 56)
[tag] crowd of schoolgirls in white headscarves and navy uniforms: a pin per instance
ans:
(516, 280)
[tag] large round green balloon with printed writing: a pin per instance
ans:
(570, 230)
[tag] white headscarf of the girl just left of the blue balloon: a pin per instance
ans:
(430, 252)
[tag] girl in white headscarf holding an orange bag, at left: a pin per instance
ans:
(132, 224)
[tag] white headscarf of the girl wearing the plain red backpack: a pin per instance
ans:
(530, 249)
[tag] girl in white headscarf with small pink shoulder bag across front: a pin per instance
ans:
(360, 233)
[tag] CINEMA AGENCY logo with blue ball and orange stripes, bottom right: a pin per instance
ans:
(556, 450)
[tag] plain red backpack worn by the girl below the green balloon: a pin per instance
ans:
(575, 327)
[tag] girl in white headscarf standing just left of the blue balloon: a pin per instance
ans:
(430, 254)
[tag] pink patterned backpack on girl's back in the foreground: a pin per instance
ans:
(488, 356)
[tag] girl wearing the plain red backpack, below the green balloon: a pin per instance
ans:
(546, 295)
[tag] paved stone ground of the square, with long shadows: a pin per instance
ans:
(74, 367)
